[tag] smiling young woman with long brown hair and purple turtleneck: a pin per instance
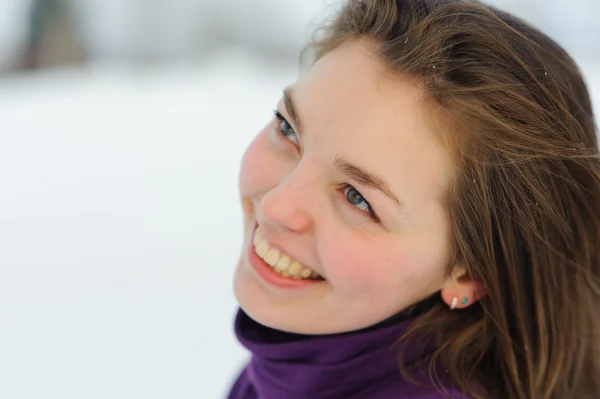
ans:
(422, 215)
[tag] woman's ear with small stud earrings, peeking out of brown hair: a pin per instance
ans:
(460, 290)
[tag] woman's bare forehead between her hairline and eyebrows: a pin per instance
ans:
(354, 107)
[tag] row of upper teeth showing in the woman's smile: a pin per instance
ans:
(281, 263)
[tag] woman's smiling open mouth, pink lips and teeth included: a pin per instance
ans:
(277, 267)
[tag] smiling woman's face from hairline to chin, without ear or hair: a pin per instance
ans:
(346, 182)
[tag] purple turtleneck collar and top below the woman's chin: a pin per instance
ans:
(356, 365)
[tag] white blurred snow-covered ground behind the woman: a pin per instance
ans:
(120, 226)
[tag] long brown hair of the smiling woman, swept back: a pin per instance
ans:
(513, 109)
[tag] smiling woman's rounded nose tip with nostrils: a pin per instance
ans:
(288, 204)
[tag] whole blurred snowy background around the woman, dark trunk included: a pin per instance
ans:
(122, 124)
